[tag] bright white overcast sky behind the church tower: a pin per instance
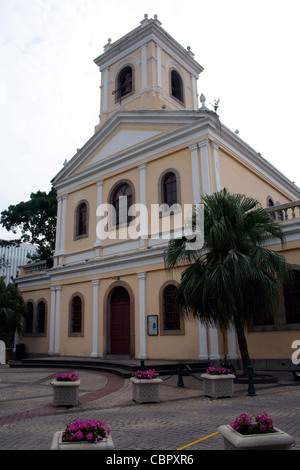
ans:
(49, 84)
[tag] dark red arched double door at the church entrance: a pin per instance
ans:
(120, 321)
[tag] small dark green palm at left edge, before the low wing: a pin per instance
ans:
(13, 311)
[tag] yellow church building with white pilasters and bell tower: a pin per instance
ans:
(108, 293)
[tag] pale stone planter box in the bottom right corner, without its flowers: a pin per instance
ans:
(233, 440)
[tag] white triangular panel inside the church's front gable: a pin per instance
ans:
(122, 141)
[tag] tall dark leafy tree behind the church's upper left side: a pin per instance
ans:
(36, 219)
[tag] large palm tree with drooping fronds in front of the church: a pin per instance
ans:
(234, 278)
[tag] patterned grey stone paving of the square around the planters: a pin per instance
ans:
(185, 418)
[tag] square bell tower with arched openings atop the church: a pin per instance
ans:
(147, 70)
